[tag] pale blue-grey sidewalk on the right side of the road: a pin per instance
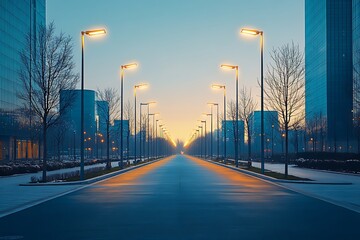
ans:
(347, 196)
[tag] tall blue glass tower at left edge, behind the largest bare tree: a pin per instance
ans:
(17, 20)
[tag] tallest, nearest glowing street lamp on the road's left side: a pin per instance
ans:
(89, 33)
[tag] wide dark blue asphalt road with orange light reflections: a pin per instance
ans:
(182, 198)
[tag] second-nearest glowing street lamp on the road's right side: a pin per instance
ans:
(236, 68)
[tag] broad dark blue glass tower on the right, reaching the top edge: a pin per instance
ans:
(329, 67)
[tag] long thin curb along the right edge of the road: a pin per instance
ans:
(271, 179)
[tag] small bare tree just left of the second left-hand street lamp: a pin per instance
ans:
(108, 111)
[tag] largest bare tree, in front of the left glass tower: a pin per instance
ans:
(45, 72)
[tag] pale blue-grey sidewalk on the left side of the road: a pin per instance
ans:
(15, 197)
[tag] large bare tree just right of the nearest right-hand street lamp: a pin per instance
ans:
(285, 87)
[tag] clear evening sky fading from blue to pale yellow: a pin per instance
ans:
(179, 46)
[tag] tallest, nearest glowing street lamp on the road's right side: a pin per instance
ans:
(261, 34)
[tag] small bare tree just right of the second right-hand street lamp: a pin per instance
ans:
(247, 107)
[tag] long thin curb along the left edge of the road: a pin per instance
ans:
(91, 180)
